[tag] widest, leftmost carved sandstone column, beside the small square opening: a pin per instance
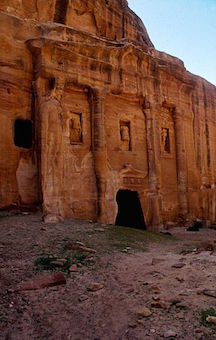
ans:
(49, 110)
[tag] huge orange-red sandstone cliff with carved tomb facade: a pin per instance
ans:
(89, 107)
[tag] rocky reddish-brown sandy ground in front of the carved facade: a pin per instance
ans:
(135, 269)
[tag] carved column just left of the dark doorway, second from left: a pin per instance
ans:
(99, 149)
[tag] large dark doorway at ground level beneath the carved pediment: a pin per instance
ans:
(129, 210)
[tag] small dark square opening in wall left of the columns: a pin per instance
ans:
(23, 133)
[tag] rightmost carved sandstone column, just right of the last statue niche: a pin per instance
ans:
(181, 162)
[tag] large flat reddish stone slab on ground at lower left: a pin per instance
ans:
(42, 281)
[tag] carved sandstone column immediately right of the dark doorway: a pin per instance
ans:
(153, 170)
